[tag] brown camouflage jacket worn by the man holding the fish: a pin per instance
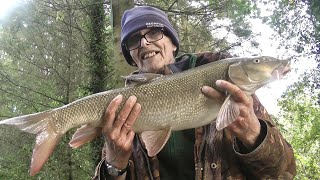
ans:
(220, 156)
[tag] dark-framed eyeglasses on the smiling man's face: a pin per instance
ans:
(134, 41)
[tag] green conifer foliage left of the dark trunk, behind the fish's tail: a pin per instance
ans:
(46, 62)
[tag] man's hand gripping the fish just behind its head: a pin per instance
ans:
(247, 126)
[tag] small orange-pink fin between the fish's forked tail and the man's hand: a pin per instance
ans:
(83, 135)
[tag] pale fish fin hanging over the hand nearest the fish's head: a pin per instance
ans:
(228, 113)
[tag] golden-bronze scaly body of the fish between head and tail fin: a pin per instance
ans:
(169, 101)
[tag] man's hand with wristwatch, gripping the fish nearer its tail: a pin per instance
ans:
(117, 130)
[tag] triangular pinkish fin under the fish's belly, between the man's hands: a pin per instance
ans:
(155, 140)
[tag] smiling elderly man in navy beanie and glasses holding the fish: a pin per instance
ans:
(250, 148)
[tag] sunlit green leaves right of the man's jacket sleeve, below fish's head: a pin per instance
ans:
(301, 123)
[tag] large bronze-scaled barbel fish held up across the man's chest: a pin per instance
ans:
(169, 103)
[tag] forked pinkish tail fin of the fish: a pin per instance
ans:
(46, 139)
